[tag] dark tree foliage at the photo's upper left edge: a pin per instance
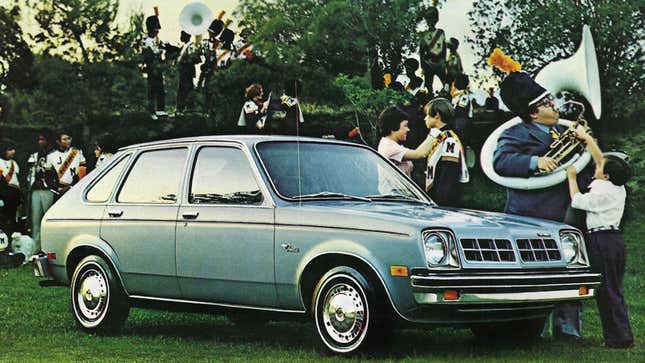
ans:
(15, 56)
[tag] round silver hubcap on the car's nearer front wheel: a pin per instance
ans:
(343, 313)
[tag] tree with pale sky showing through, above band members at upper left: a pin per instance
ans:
(85, 29)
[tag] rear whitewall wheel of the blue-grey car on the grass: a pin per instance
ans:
(99, 303)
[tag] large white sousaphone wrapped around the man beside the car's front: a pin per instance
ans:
(578, 73)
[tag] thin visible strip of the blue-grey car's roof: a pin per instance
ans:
(249, 140)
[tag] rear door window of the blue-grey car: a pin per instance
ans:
(155, 177)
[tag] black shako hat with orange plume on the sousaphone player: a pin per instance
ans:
(518, 90)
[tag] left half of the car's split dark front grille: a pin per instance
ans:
(487, 250)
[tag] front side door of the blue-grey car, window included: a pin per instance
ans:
(225, 231)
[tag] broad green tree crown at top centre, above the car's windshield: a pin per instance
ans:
(332, 37)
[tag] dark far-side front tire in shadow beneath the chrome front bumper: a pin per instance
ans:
(519, 330)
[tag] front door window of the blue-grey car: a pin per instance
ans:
(223, 175)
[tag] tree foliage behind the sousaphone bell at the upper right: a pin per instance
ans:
(536, 32)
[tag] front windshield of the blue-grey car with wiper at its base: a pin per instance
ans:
(310, 170)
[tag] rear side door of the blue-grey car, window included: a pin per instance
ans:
(140, 222)
